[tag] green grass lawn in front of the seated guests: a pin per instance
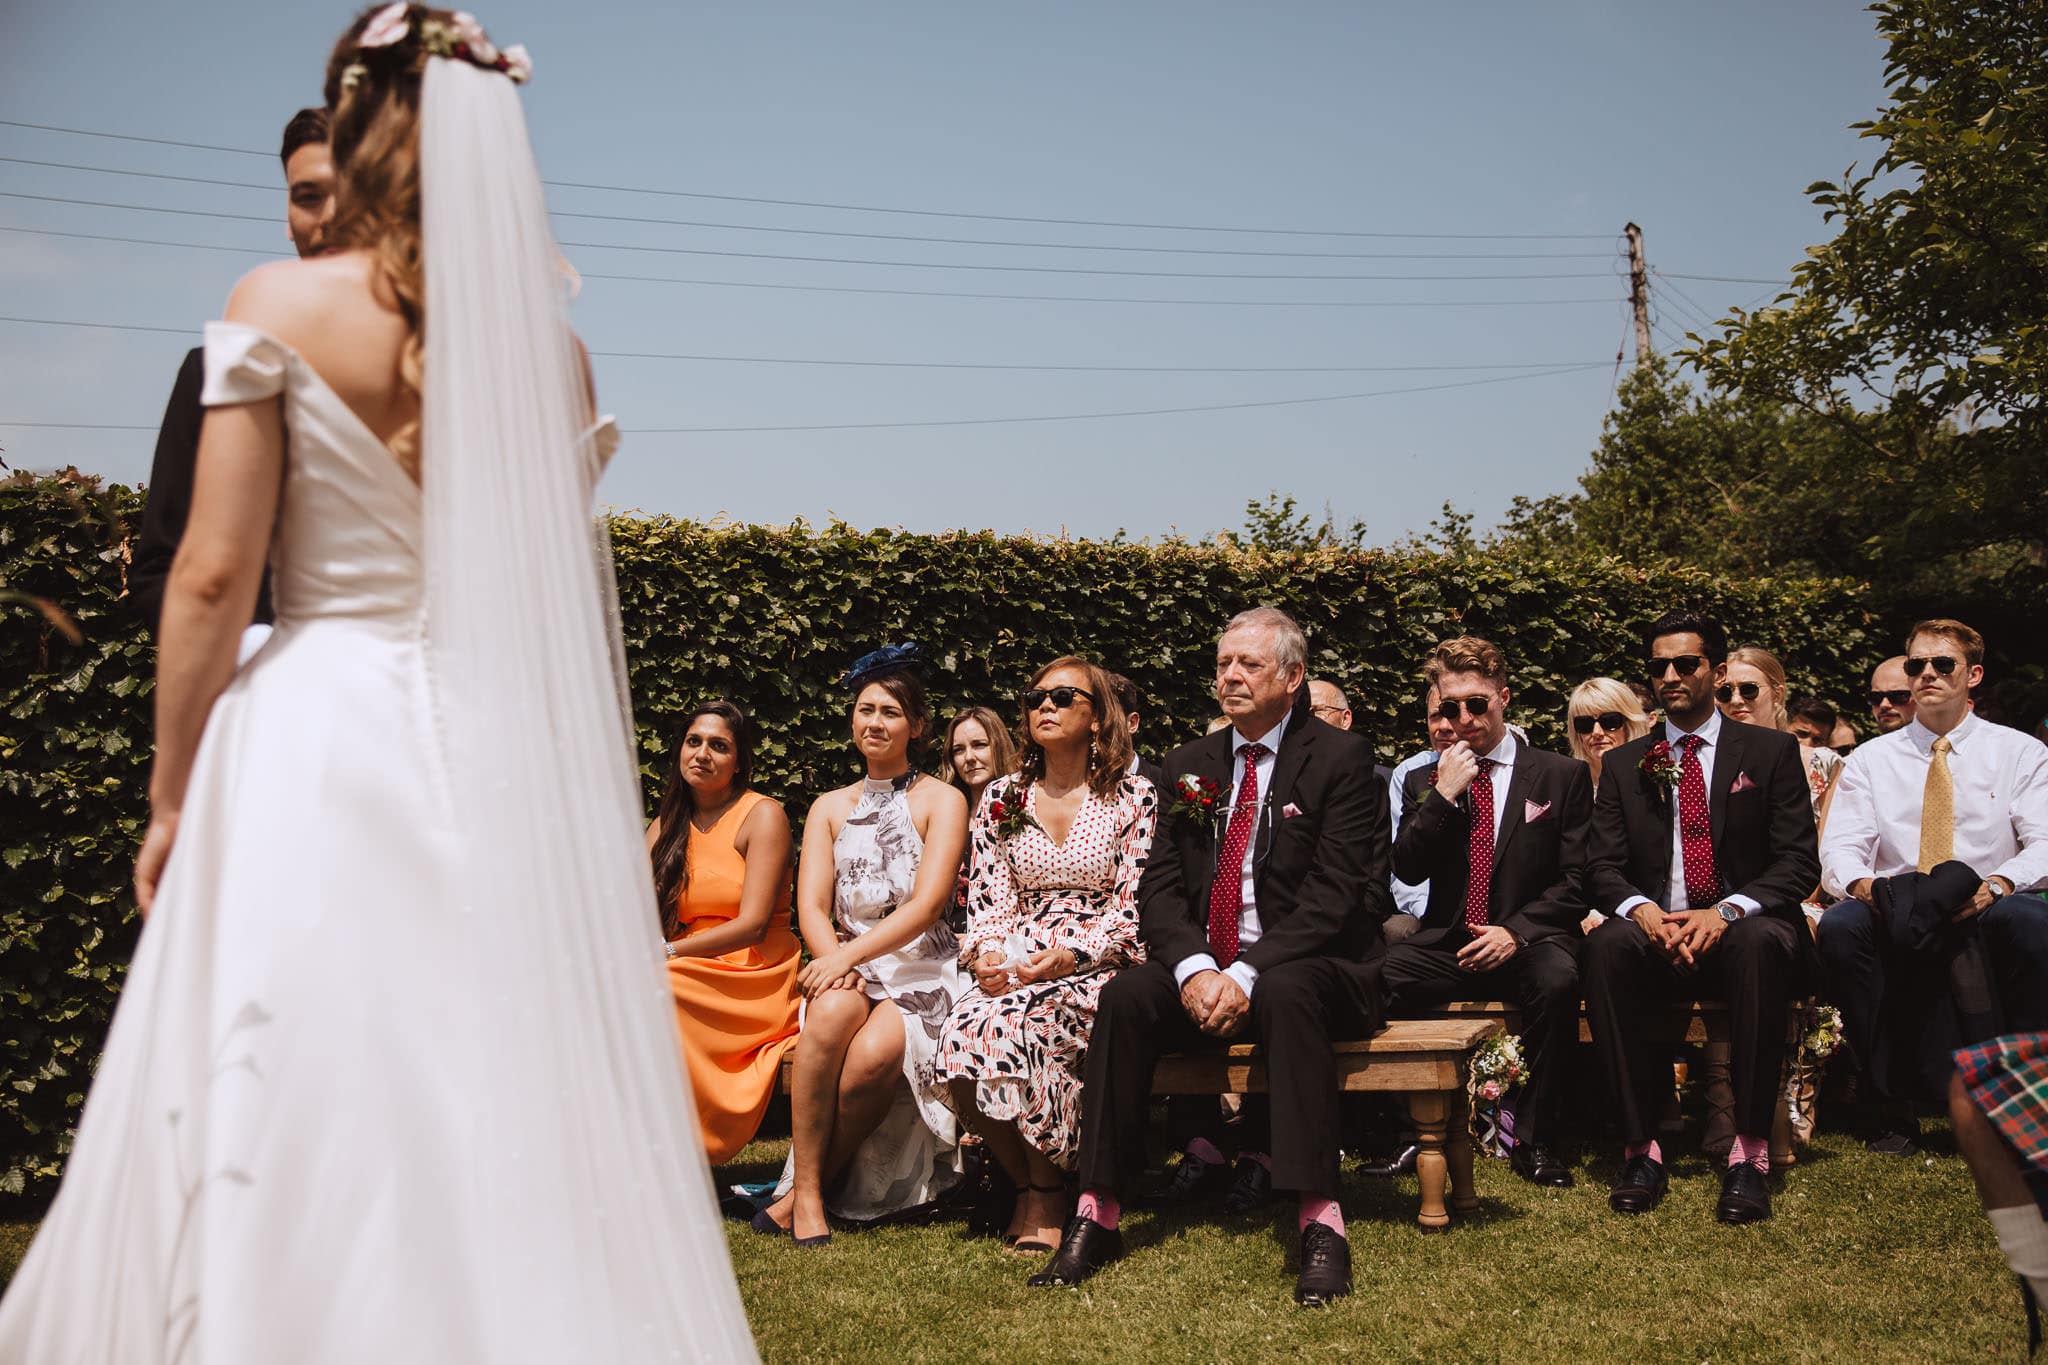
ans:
(1867, 1260)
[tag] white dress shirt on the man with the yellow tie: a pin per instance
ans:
(2002, 805)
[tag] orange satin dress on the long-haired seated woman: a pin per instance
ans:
(736, 1014)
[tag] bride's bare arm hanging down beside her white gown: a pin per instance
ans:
(208, 601)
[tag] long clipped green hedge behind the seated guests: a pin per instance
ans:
(771, 617)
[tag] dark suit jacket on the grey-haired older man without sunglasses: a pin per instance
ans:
(1320, 877)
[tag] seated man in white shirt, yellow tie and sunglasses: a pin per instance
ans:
(1947, 789)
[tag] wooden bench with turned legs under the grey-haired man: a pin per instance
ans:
(1420, 1059)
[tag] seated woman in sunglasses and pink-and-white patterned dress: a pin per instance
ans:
(1050, 918)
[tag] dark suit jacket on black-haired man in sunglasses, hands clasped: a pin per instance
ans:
(1764, 836)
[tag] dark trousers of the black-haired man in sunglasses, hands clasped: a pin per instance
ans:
(1629, 985)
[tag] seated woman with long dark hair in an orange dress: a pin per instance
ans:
(722, 879)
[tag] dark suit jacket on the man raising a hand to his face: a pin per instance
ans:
(1537, 865)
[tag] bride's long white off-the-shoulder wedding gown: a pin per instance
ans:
(294, 1149)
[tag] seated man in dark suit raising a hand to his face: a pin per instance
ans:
(1500, 838)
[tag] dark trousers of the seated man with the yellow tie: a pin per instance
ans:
(1897, 1014)
